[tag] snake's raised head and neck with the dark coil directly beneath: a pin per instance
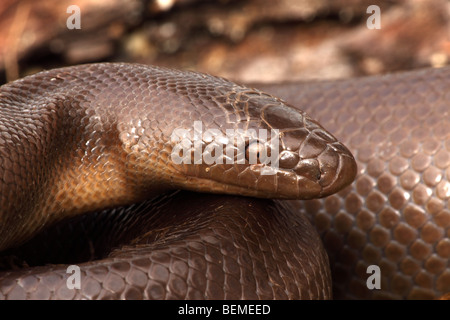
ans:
(78, 142)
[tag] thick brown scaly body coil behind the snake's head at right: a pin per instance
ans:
(397, 212)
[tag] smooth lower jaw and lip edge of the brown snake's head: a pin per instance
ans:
(285, 184)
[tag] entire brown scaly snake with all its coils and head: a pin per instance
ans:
(81, 139)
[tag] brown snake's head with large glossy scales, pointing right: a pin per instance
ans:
(263, 148)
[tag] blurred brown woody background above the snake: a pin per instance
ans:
(243, 40)
